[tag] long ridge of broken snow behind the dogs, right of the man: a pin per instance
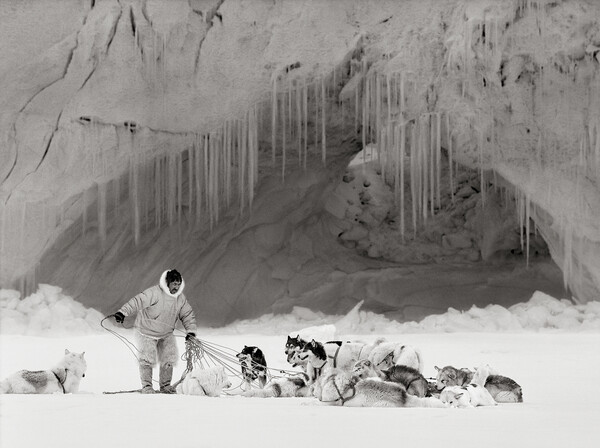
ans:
(541, 313)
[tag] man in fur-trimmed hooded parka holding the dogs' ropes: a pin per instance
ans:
(158, 309)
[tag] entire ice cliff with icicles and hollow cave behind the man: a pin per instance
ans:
(214, 137)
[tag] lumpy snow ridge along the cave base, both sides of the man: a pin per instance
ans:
(49, 312)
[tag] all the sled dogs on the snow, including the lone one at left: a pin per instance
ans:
(382, 374)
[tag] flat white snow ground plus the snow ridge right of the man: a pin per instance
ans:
(556, 367)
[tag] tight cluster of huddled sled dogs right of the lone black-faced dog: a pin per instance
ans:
(382, 374)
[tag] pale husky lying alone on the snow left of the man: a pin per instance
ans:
(64, 378)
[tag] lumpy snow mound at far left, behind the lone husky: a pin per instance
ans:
(47, 312)
